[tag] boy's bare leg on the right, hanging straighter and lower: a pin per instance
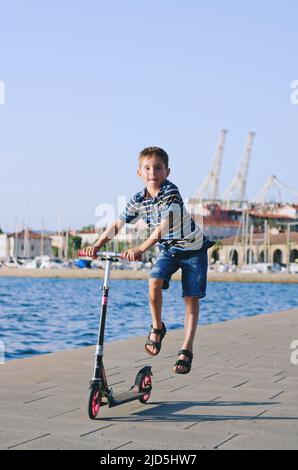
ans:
(190, 326)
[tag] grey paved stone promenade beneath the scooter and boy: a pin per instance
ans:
(241, 393)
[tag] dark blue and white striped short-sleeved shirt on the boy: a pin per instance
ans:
(183, 233)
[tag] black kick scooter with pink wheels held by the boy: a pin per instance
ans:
(99, 389)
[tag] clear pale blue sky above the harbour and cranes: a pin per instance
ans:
(89, 83)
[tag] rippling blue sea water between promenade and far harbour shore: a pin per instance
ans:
(43, 315)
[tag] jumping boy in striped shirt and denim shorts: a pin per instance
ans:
(181, 243)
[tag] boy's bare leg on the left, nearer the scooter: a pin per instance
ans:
(155, 302)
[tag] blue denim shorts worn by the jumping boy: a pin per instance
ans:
(193, 266)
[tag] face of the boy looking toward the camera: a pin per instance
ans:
(153, 172)
